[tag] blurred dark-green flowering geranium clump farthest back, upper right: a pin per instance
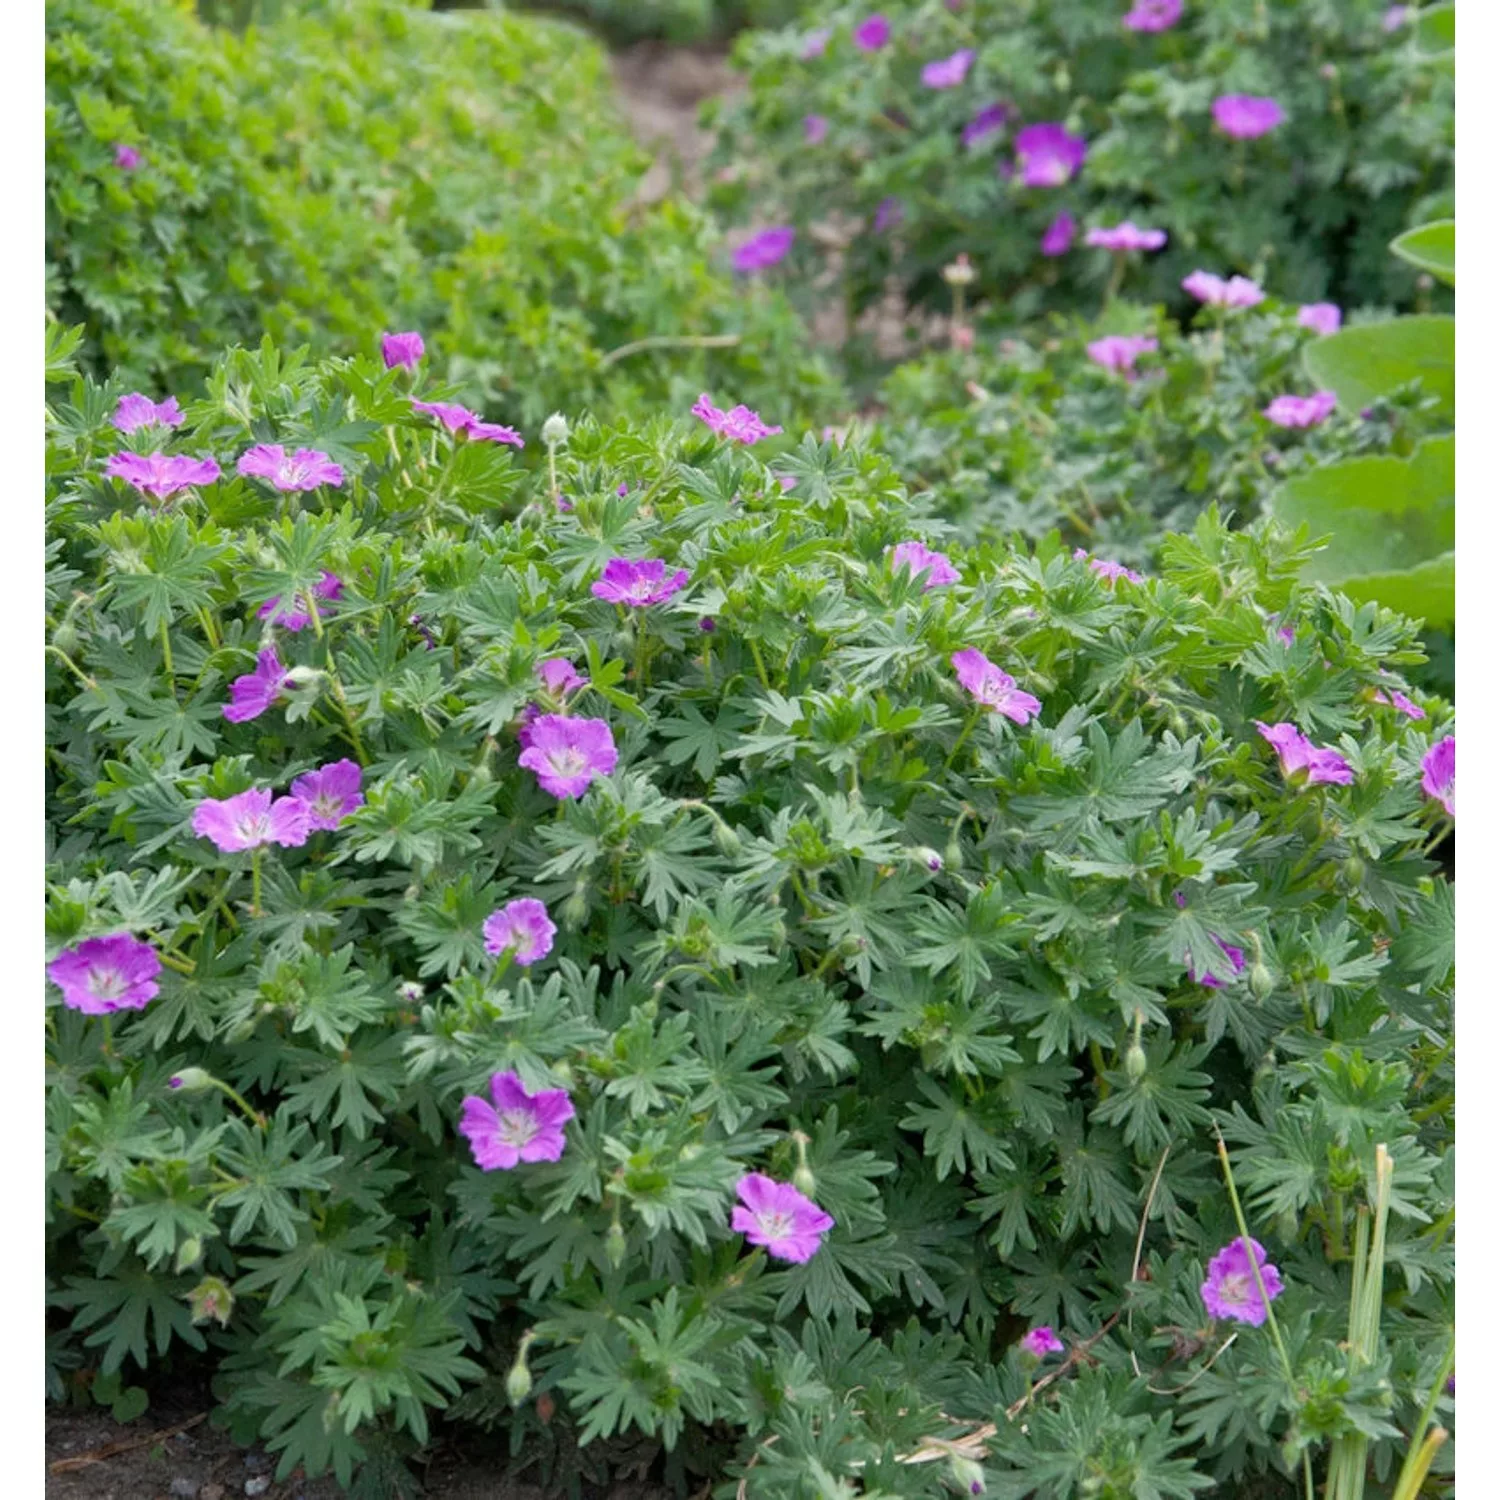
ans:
(1285, 140)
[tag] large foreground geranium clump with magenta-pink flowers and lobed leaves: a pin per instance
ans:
(676, 943)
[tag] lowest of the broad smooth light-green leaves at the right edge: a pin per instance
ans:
(1391, 527)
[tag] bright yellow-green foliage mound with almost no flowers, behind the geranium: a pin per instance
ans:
(373, 166)
